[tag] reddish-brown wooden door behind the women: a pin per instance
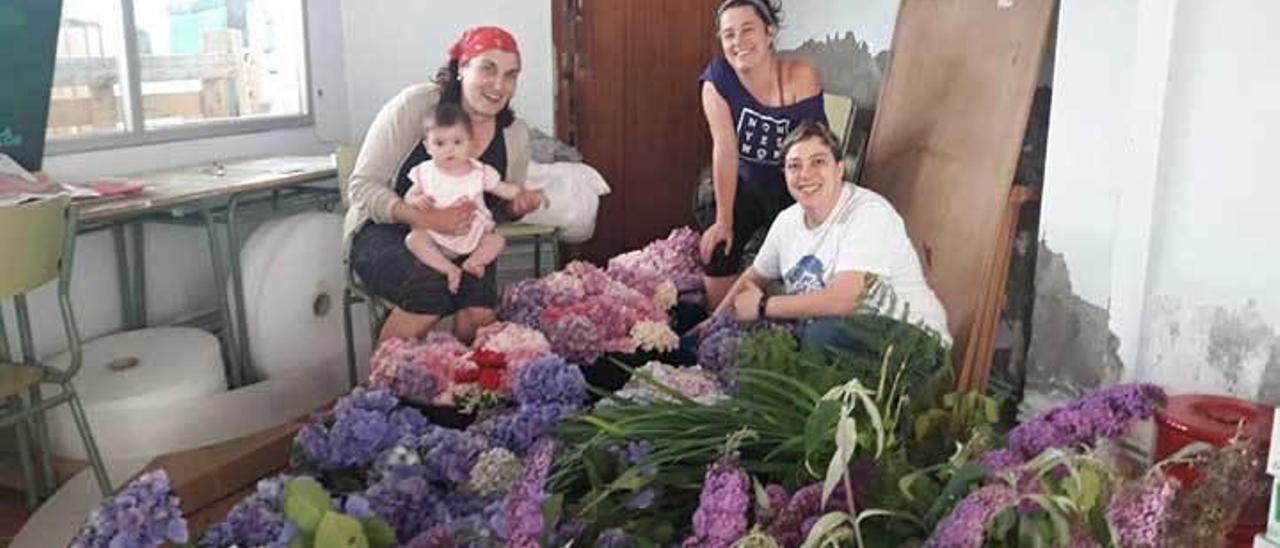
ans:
(628, 97)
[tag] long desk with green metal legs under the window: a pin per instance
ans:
(213, 197)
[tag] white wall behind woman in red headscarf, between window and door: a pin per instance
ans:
(391, 44)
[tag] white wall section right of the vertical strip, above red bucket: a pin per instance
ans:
(1214, 313)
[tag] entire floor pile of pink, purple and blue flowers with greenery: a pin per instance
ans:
(757, 446)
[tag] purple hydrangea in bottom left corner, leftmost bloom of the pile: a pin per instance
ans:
(143, 515)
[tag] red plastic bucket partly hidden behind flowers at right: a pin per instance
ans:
(1214, 419)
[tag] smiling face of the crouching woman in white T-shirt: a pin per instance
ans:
(813, 176)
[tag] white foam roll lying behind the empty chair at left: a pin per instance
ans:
(129, 382)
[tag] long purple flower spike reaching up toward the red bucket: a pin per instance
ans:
(1101, 415)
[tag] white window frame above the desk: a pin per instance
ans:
(139, 135)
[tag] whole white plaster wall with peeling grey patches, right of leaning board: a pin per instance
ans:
(1158, 193)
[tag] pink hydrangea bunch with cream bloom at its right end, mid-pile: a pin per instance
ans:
(586, 314)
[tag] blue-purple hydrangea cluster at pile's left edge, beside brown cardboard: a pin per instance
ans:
(360, 428)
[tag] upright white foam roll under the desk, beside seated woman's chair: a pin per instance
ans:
(294, 281)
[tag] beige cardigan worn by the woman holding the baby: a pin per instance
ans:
(391, 139)
